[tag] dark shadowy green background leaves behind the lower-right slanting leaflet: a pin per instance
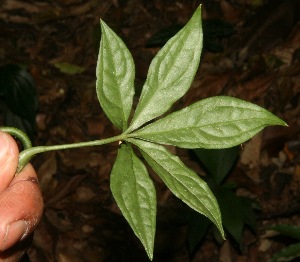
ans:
(218, 163)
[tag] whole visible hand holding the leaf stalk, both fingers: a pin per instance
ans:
(21, 202)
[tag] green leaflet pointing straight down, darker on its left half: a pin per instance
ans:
(135, 195)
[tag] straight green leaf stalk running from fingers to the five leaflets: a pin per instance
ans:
(26, 155)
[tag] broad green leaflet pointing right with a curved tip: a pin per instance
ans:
(216, 122)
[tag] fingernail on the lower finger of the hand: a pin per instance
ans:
(15, 232)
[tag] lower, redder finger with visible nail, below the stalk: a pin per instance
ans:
(21, 208)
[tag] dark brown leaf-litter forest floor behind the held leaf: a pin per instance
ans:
(259, 61)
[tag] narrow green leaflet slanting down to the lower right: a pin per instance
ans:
(182, 181)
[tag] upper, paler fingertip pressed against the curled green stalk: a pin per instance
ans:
(9, 155)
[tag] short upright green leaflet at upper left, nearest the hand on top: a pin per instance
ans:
(115, 78)
